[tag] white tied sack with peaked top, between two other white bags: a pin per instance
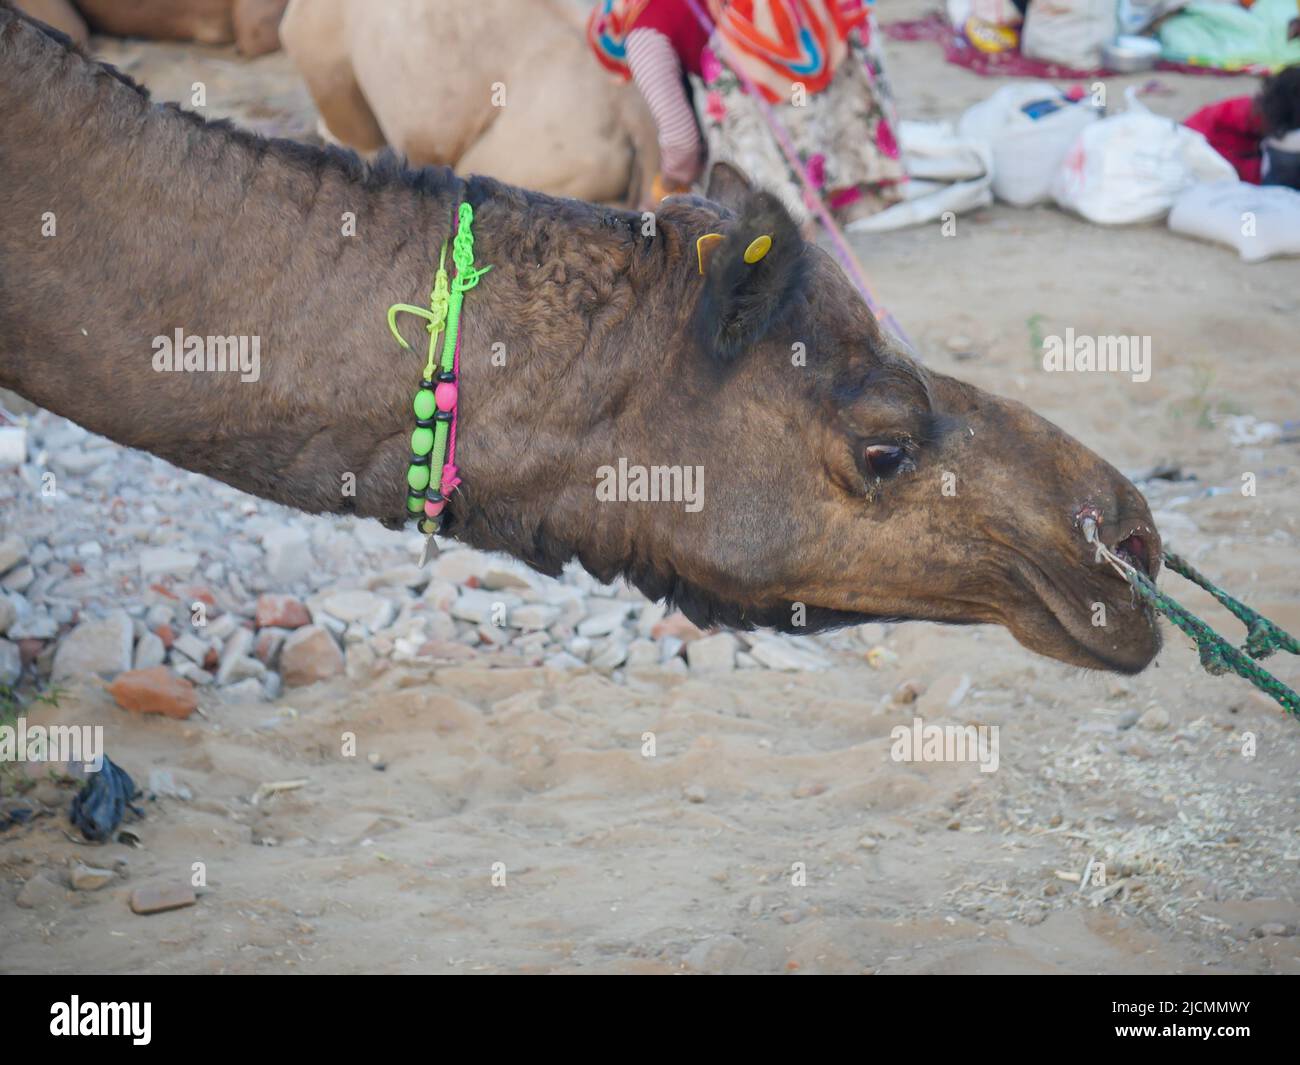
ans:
(1132, 167)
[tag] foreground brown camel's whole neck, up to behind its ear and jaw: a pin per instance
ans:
(220, 300)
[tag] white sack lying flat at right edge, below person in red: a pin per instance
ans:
(1259, 222)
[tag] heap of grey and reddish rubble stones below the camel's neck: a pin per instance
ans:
(116, 565)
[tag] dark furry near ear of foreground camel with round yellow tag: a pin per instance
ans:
(751, 278)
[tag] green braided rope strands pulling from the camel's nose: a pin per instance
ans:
(1219, 656)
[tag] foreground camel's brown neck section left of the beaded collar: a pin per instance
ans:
(202, 293)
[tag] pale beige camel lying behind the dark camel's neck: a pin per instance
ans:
(518, 96)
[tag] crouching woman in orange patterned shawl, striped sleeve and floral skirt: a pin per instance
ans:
(813, 62)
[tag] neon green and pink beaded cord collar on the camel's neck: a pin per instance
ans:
(434, 444)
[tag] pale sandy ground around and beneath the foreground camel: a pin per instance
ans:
(691, 860)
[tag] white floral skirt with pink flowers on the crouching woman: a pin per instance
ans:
(844, 136)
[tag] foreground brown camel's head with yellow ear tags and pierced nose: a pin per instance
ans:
(844, 482)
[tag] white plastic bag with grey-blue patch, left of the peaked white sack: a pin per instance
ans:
(1029, 129)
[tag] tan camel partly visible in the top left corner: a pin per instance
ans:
(250, 24)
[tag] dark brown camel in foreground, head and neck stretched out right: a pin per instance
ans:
(843, 482)
